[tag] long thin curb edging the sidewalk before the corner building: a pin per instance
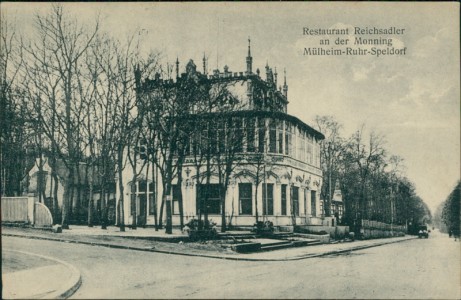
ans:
(209, 255)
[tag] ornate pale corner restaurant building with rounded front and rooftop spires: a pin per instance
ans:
(277, 176)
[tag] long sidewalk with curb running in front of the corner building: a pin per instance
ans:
(147, 239)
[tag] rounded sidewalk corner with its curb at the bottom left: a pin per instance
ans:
(37, 277)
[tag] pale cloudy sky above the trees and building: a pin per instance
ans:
(413, 100)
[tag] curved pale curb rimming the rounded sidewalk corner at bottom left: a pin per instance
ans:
(68, 288)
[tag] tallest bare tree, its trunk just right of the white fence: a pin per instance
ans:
(52, 64)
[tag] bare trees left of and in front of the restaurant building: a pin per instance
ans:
(74, 95)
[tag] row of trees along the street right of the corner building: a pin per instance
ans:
(372, 181)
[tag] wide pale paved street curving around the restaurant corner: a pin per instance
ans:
(419, 269)
